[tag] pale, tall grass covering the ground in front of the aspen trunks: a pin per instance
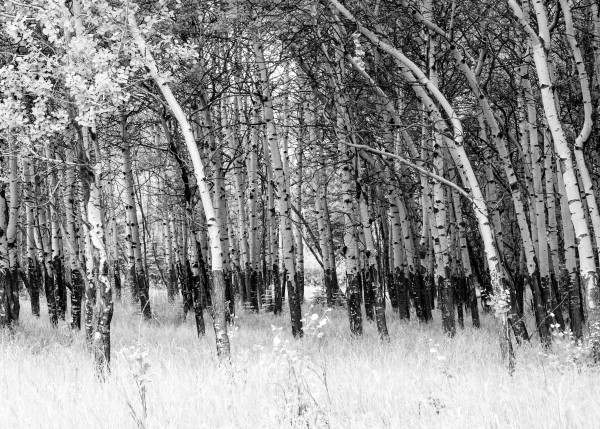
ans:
(420, 379)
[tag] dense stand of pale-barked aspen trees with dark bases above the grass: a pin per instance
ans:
(437, 162)
